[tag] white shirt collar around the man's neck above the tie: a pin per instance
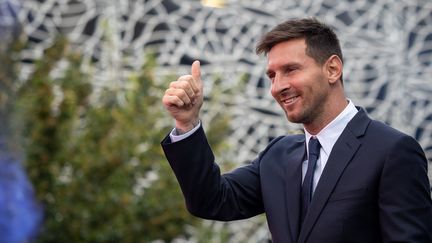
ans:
(330, 133)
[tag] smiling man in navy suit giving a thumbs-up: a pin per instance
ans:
(348, 179)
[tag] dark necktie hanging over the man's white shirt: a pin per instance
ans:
(314, 149)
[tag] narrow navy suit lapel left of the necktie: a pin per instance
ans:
(293, 172)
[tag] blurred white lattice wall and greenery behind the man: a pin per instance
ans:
(81, 115)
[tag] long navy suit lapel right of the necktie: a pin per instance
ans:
(342, 153)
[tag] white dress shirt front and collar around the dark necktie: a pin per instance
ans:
(327, 138)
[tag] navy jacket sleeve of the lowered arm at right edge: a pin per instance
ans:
(404, 194)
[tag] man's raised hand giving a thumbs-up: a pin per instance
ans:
(184, 98)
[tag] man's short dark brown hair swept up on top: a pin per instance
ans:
(321, 40)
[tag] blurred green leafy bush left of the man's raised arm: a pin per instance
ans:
(95, 159)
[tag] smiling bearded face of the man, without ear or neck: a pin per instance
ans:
(298, 83)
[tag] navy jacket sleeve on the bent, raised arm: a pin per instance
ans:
(208, 194)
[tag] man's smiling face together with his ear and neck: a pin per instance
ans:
(309, 92)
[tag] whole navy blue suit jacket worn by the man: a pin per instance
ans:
(374, 187)
